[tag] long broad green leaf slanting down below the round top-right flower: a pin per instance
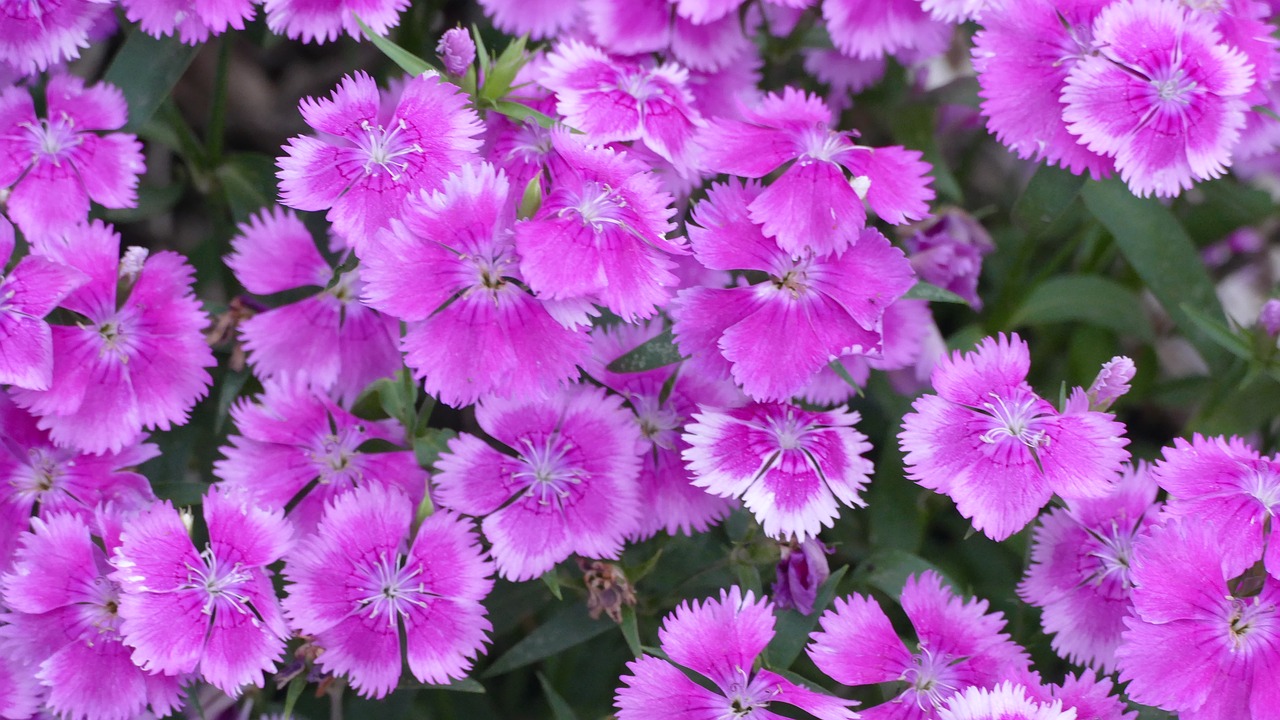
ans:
(1163, 256)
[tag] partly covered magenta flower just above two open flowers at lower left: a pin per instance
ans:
(294, 436)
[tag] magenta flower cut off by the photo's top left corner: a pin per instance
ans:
(40, 34)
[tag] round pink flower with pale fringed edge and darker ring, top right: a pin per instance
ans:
(1163, 95)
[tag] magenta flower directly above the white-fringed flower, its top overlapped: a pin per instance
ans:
(774, 338)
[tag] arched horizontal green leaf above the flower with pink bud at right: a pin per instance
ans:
(1086, 299)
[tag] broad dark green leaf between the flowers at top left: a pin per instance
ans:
(147, 70)
